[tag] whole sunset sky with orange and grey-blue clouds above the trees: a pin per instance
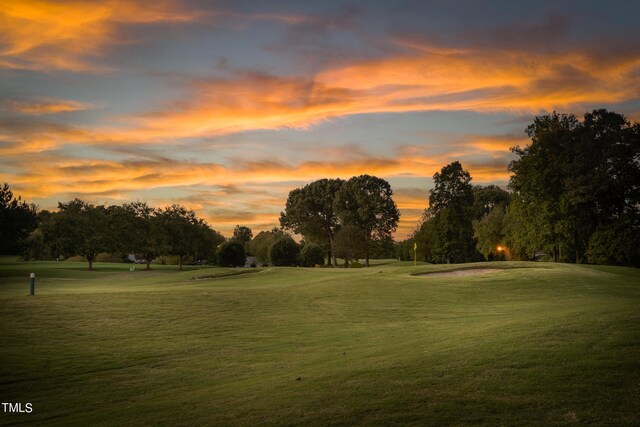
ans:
(226, 106)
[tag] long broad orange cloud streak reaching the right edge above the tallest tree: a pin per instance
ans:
(424, 79)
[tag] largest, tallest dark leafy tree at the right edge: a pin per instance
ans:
(573, 178)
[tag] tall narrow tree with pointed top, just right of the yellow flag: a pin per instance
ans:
(450, 215)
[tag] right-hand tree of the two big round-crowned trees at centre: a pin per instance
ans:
(366, 202)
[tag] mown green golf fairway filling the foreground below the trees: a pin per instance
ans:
(534, 344)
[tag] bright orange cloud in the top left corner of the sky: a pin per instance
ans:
(48, 35)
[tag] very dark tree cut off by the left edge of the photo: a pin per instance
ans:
(17, 221)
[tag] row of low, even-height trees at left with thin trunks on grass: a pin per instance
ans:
(81, 228)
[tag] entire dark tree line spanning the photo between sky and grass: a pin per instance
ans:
(573, 196)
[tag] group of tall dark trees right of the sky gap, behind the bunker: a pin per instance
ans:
(573, 196)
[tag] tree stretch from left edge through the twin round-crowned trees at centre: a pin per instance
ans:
(351, 219)
